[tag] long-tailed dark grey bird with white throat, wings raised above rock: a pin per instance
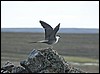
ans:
(50, 34)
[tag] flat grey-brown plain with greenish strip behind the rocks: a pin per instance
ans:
(81, 48)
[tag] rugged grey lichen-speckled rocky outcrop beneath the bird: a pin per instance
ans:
(41, 61)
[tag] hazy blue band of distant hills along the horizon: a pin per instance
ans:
(41, 30)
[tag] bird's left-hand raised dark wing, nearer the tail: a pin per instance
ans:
(48, 29)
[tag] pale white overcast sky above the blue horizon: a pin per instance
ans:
(70, 14)
